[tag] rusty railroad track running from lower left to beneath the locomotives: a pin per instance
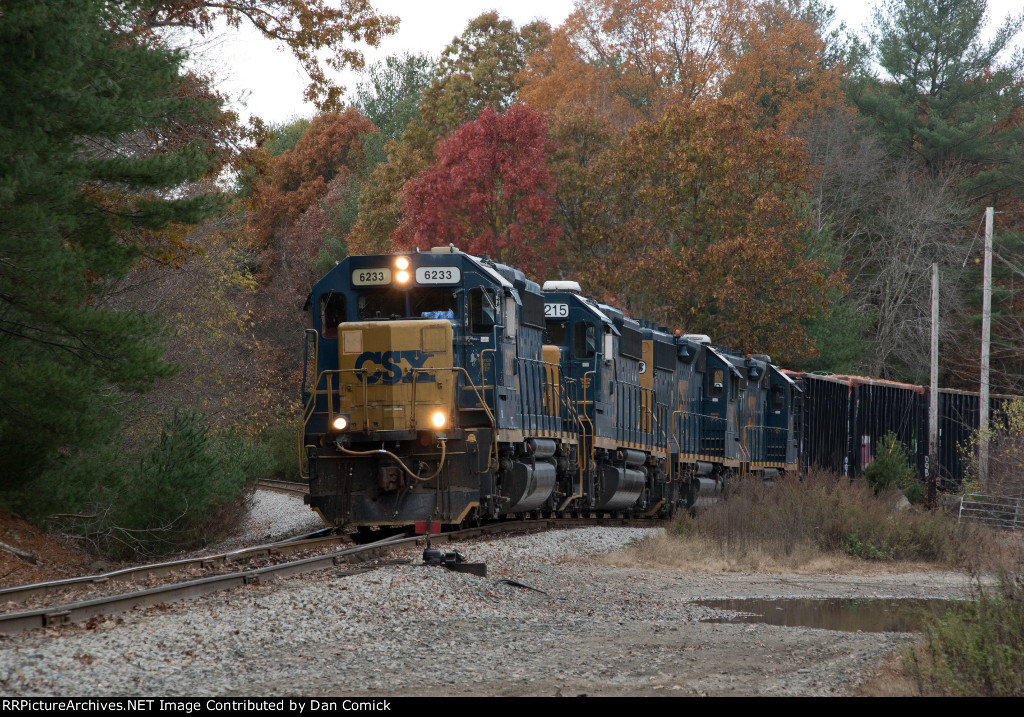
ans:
(354, 556)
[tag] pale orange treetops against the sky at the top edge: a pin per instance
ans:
(630, 61)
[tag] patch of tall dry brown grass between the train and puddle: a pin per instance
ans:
(816, 526)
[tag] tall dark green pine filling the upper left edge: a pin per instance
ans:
(71, 190)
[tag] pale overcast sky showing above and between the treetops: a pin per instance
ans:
(268, 82)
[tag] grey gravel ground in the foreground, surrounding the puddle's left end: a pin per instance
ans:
(415, 630)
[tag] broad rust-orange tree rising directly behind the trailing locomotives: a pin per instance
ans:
(713, 231)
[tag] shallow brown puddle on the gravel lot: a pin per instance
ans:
(848, 615)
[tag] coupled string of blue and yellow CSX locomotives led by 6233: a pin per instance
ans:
(448, 388)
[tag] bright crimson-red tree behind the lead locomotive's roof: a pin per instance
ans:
(490, 192)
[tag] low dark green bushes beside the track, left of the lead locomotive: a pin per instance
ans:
(178, 492)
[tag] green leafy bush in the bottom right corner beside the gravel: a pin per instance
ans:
(977, 649)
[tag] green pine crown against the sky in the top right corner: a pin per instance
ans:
(949, 99)
